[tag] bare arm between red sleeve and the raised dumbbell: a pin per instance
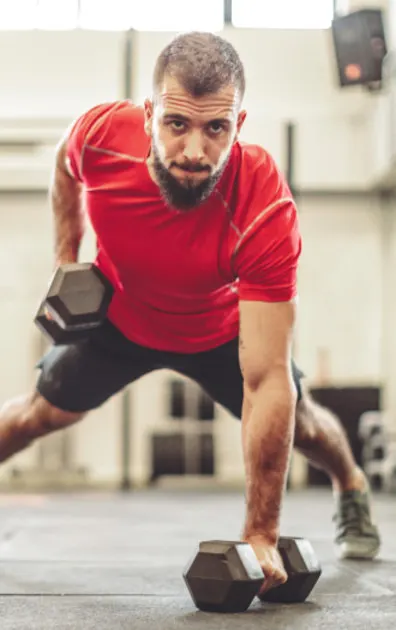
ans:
(66, 200)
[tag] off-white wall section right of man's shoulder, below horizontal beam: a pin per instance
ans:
(340, 311)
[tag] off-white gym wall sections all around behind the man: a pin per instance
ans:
(291, 76)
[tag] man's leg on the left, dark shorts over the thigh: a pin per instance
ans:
(74, 380)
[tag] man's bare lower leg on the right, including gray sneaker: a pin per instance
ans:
(320, 436)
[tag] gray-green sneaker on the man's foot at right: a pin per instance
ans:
(356, 535)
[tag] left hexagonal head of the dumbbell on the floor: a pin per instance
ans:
(223, 576)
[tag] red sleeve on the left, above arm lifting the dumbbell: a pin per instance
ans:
(84, 130)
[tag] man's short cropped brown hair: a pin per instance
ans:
(203, 63)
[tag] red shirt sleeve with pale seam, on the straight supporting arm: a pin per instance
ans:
(267, 252)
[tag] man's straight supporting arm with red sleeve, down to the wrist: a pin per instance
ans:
(266, 262)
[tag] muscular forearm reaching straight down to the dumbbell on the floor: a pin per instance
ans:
(267, 433)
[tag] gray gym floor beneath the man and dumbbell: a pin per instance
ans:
(108, 561)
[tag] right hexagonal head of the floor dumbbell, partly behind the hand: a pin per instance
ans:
(302, 567)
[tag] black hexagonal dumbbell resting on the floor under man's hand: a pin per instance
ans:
(225, 576)
